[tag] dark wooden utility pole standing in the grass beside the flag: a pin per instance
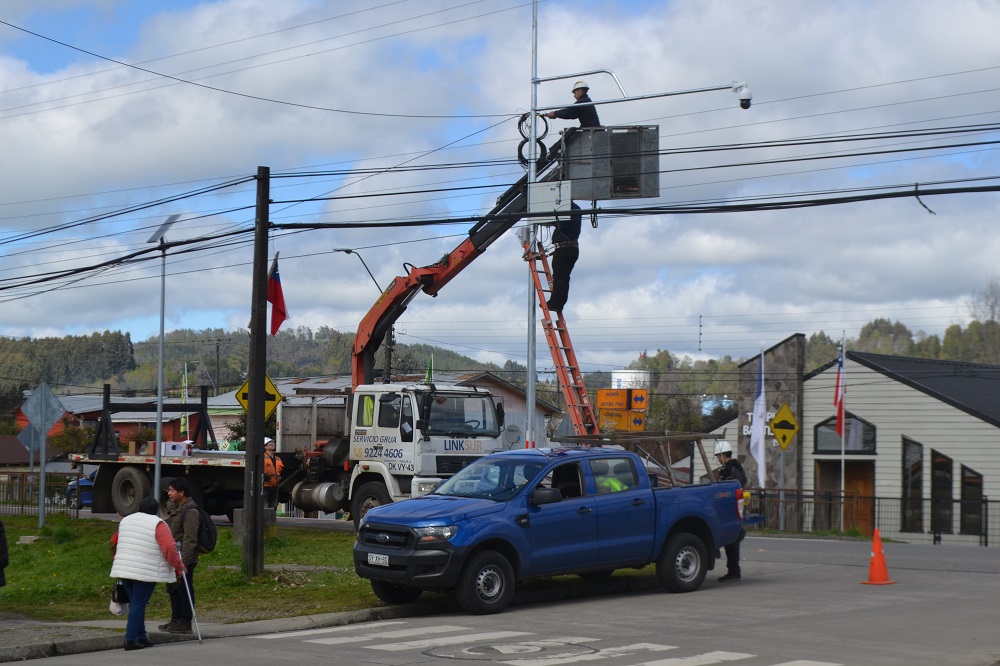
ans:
(253, 483)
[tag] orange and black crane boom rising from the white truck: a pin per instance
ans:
(389, 307)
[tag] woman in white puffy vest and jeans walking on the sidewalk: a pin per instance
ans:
(145, 554)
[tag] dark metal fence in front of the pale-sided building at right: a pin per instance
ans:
(959, 522)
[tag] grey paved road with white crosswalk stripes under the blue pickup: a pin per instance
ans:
(800, 603)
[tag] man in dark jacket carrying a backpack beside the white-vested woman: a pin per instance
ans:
(184, 519)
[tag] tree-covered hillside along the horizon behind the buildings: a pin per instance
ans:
(686, 393)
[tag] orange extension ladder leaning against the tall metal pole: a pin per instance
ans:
(578, 406)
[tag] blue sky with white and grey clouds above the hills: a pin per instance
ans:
(115, 114)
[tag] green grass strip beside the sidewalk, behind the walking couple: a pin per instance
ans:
(64, 575)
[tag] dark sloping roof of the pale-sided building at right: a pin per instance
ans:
(973, 388)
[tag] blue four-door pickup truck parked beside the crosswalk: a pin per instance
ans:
(542, 512)
